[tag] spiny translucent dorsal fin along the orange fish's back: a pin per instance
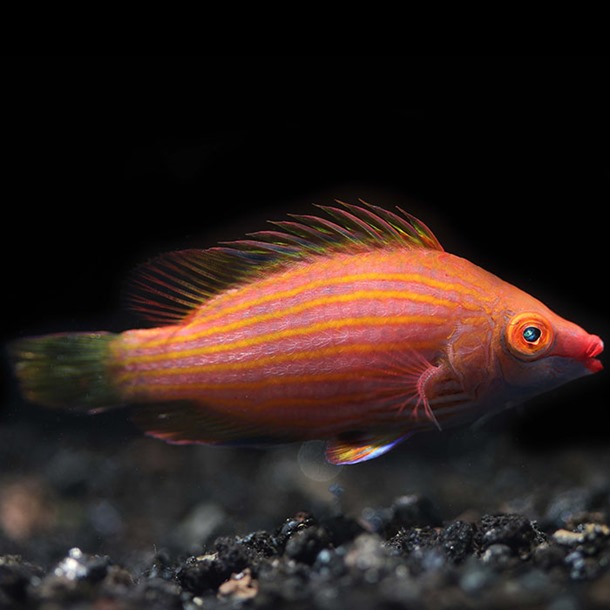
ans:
(170, 287)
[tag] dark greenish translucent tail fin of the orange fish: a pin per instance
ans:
(68, 370)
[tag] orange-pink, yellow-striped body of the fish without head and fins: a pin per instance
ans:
(314, 350)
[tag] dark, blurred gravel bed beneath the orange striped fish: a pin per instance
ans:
(94, 516)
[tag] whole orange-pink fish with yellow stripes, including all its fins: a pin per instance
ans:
(353, 326)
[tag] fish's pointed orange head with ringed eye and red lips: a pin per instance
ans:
(539, 350)
